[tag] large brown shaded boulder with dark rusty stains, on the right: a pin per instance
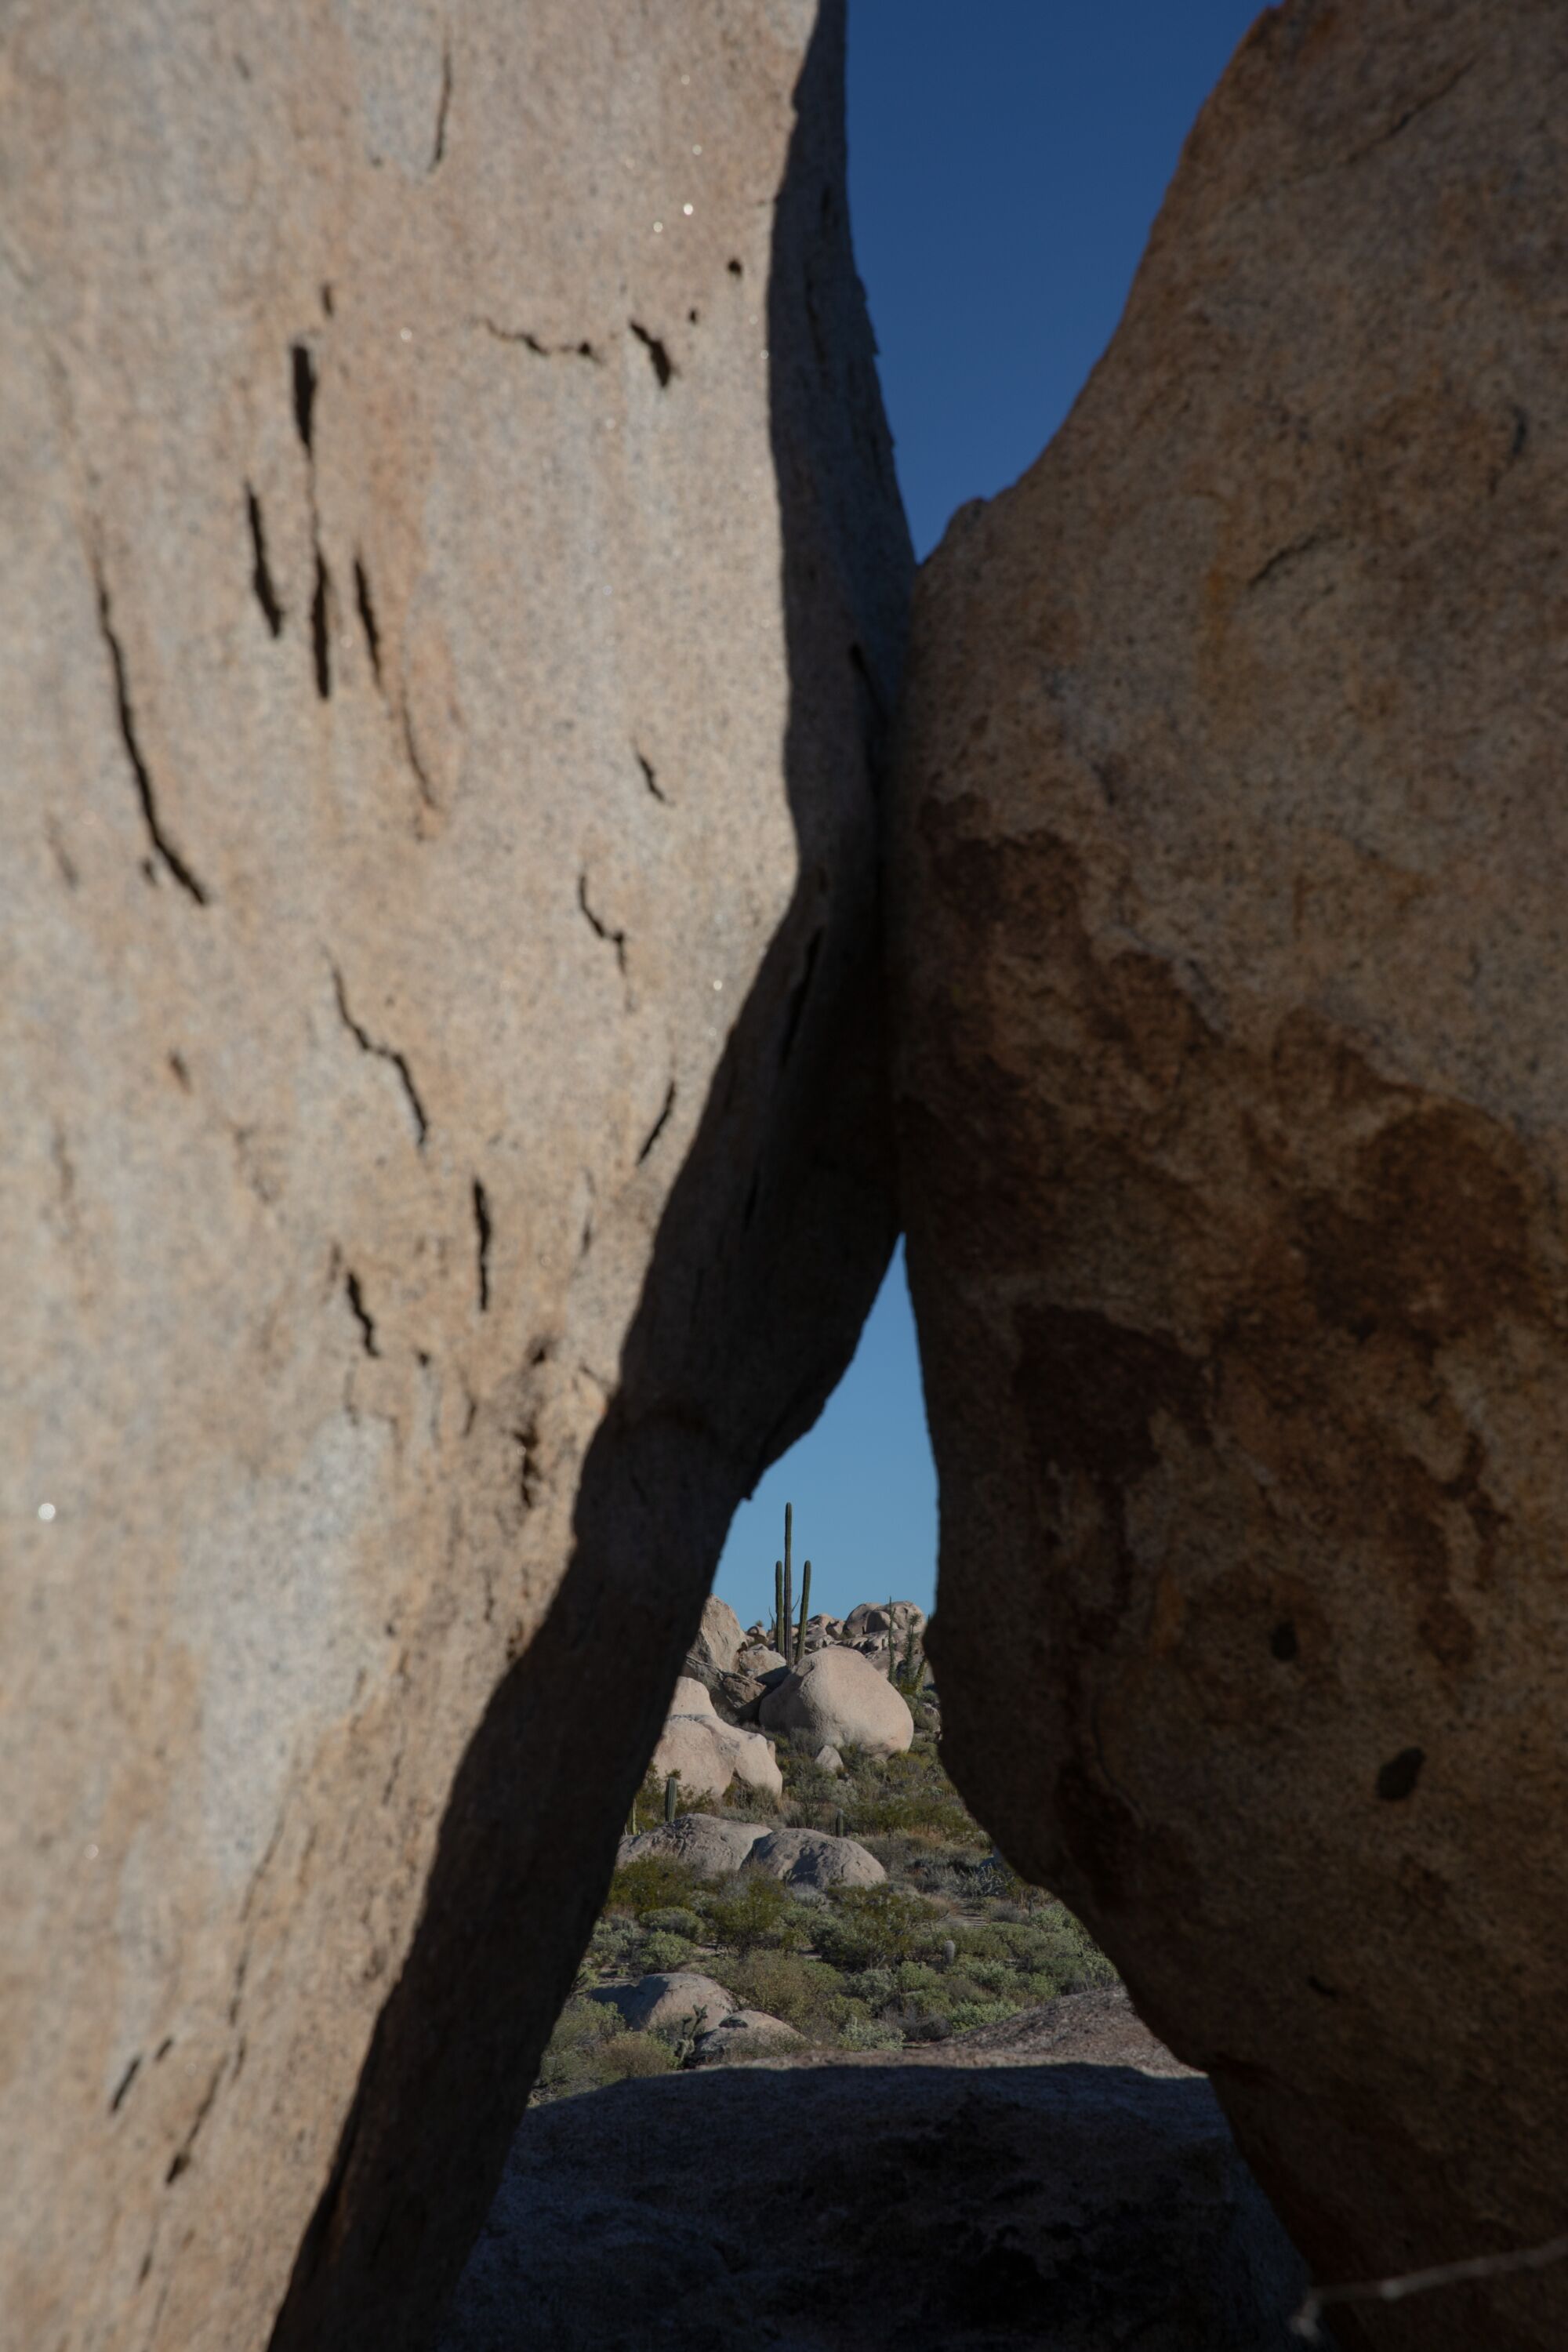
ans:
(1233, 1069)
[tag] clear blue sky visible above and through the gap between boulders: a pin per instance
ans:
(1005, 166)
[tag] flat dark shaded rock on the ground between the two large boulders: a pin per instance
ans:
(1061, 2207)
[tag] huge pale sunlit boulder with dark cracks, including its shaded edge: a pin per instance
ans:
(434, 1041)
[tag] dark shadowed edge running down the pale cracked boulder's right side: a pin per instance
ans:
(765, 1267)
